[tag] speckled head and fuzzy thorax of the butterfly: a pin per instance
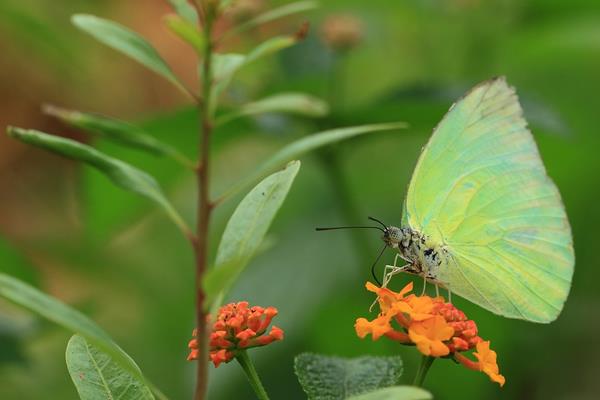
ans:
(423, 255)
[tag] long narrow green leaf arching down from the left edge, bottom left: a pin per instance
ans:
(69, 318)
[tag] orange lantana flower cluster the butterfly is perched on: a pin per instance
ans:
(437, 328)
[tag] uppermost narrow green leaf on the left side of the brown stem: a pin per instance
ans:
(127, 42)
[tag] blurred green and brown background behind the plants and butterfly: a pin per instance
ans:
(67, 230)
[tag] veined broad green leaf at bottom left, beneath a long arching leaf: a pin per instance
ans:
(97, 376)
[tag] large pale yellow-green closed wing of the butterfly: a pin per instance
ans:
(480, 188)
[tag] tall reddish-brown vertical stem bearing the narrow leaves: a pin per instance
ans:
(205, 205)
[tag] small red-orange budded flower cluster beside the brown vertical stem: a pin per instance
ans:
(238, 327)
